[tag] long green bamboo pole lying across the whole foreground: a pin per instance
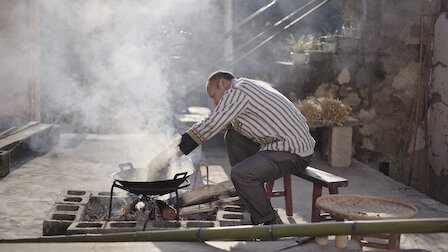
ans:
(271, 232)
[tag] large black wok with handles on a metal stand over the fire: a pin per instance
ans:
(131, 181)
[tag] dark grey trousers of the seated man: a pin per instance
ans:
(251, 169)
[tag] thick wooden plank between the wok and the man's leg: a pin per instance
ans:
(206, 192)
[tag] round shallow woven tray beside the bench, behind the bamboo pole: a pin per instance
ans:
(361, 207)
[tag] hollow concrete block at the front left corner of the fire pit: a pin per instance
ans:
(60, 217)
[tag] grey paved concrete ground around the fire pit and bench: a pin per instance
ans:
(85, 162)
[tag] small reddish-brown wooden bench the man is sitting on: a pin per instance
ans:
(319, 179)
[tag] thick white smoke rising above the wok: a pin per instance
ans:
(119, 66)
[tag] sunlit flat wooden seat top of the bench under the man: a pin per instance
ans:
(322, 178)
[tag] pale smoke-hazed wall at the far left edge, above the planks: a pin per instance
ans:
(19, 71)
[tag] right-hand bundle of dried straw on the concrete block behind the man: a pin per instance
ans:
(333, 112)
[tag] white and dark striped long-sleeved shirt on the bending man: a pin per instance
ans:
(260, 113)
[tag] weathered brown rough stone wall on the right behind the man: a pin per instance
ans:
(377, 73)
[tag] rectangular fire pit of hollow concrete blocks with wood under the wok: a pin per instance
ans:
(84, 212)
